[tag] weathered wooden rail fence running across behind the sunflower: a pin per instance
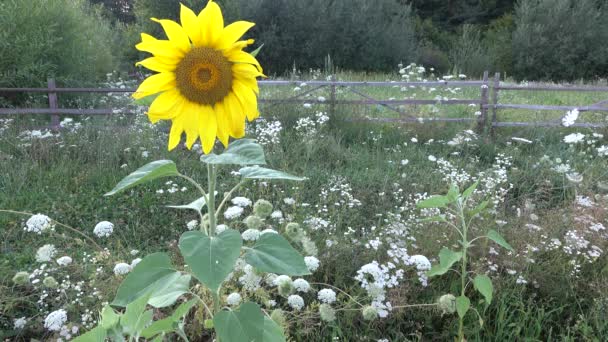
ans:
(485, 102)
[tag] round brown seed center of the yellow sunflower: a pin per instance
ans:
(204, 76)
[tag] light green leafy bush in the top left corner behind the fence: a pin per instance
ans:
(64, 39)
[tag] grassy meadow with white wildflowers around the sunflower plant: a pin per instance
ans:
(358, 205)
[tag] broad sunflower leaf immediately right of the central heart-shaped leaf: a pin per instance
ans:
(272, 253)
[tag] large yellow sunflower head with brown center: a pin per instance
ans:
(206, 83)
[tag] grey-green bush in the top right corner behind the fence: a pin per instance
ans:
(560, 39)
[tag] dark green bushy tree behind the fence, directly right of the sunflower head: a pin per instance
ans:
(357, 34)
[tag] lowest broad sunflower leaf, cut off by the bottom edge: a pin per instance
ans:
(244, 324)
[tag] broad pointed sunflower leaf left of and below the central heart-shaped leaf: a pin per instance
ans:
(152, 276)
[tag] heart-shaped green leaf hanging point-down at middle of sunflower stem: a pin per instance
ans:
(211, 259)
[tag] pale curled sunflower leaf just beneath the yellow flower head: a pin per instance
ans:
(239, 152)
